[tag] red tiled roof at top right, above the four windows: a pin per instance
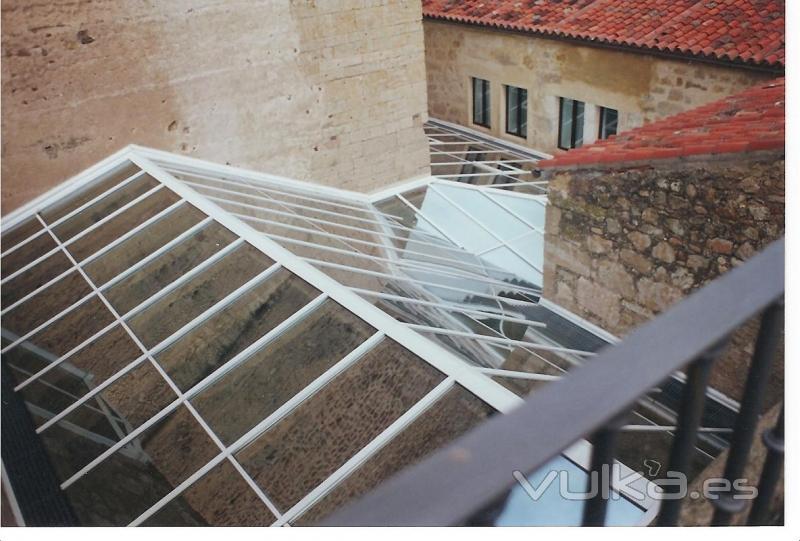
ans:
(750, 31)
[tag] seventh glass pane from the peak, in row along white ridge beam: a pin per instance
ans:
(227, 333)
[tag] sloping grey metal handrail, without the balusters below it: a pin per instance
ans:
(460, 480)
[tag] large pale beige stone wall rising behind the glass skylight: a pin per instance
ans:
(329, 91)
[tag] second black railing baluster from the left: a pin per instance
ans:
(689, 417)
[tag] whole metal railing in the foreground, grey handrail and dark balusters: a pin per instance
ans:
(456, 484)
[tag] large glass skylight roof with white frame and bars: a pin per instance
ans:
(199, 344)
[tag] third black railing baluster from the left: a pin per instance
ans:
(727, 503)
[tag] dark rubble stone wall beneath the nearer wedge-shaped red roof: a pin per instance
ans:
(622, 246)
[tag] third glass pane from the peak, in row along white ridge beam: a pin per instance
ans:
(121, 224)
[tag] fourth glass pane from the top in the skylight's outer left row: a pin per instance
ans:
(46, 304)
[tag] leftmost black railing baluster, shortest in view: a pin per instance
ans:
(605, 443)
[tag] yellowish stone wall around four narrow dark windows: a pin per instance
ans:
(640, 86)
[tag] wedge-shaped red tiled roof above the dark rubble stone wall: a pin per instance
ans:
(752, 120)
